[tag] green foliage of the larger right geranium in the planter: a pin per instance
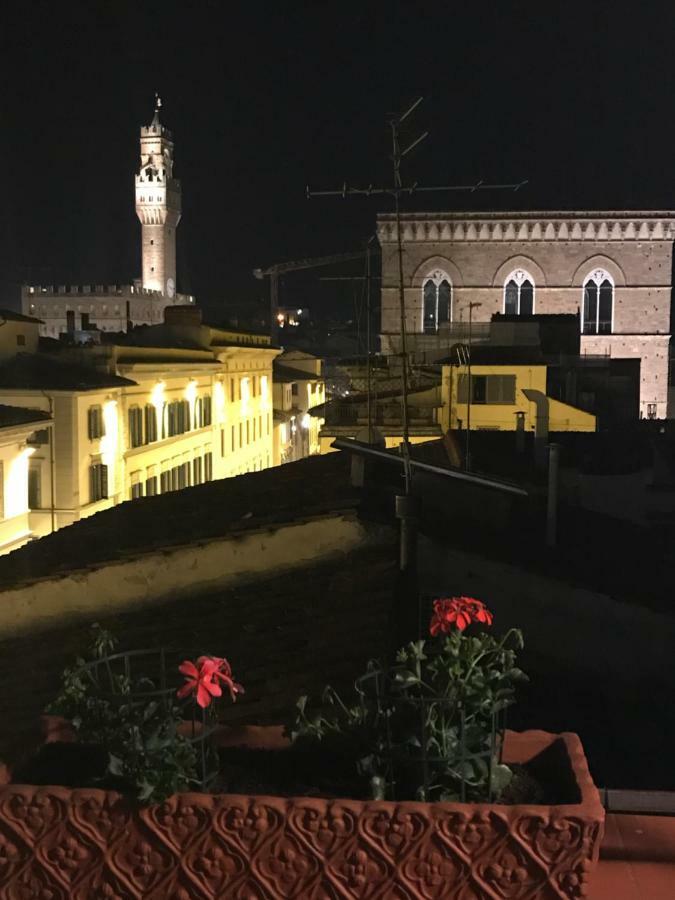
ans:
(426, 724)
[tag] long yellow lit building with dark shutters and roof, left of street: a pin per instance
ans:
(189, 405)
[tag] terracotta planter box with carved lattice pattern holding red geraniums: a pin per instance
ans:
(61, 843)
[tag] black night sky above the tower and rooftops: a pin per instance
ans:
(265, 98)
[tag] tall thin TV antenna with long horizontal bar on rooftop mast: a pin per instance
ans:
(397, 190)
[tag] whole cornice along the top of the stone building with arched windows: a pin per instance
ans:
(620, 225)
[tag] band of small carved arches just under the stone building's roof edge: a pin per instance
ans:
(430, 231)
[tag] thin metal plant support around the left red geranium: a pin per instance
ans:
(138, 677)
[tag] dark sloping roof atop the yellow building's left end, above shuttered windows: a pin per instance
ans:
(28, 371)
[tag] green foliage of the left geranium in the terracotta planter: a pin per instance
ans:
(140, 733)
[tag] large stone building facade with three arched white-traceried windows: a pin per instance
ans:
(613, 269)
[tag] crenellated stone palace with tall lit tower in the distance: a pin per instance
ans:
(80, 309)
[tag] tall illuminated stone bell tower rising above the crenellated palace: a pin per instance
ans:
(158, 206)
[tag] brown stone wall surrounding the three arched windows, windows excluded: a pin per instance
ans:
(635, 250)
